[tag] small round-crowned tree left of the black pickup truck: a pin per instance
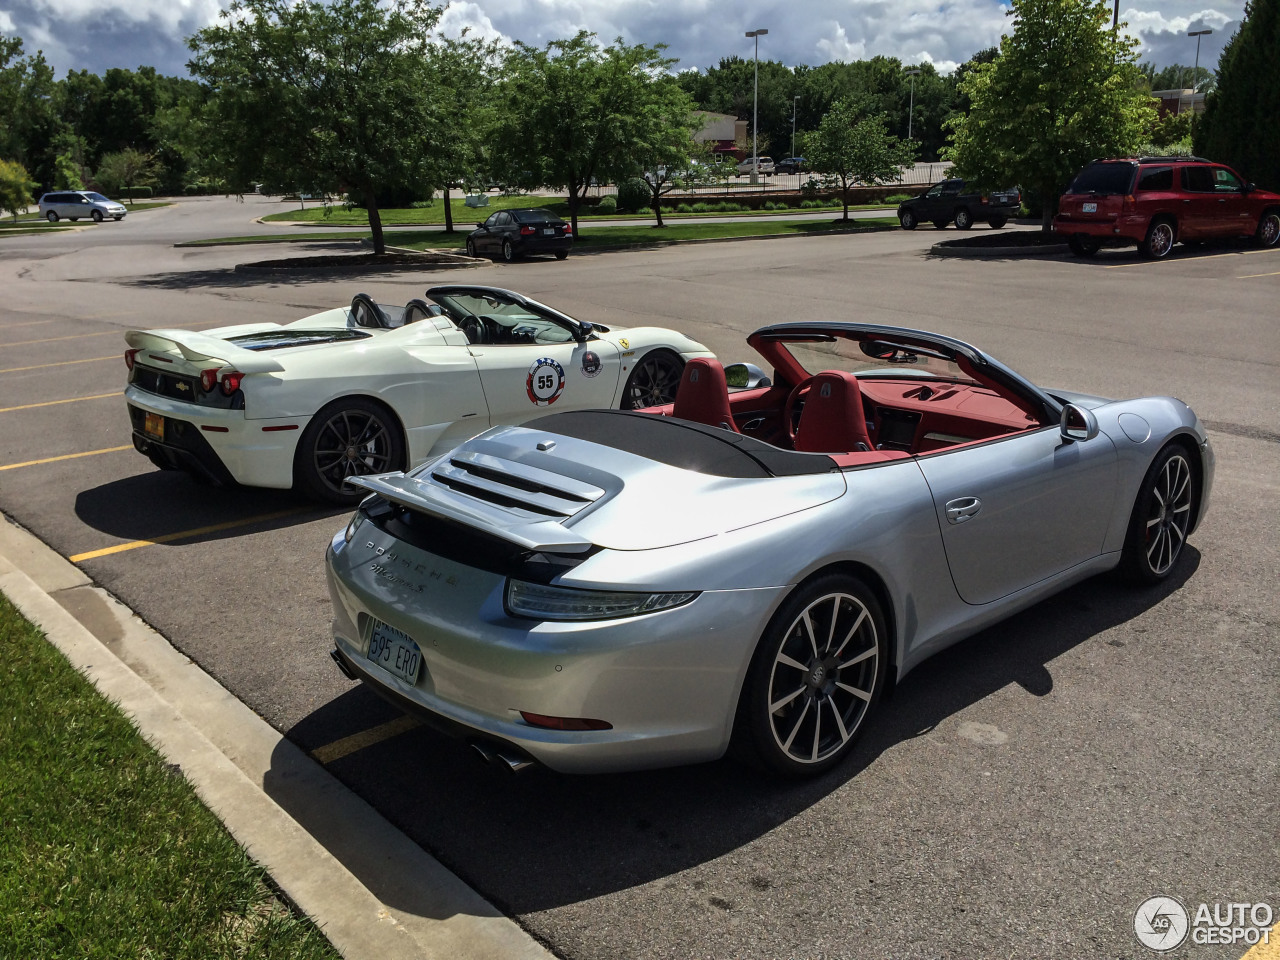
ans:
(856, 148)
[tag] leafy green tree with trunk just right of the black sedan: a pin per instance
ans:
(574, 113)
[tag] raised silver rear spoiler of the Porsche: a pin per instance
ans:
(538, 536)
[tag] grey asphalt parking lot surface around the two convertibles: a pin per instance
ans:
(1021, 794)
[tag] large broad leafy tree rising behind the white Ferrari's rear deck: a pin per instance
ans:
(319, 97)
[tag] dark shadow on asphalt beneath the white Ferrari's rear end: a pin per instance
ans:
(166, 502)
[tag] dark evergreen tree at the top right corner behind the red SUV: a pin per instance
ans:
(1240, 122)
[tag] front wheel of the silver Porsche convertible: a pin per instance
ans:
(1162, 518)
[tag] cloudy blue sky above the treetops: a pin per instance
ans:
(99, 34)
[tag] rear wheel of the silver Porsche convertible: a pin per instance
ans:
(816, 676)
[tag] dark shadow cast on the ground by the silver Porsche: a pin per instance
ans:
(541, 840)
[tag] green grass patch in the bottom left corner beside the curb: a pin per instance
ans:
(106, 851)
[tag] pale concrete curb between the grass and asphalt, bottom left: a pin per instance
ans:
(373, 892)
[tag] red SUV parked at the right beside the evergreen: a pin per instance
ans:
(1156, 202)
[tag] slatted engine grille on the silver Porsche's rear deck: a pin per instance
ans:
(505, 483)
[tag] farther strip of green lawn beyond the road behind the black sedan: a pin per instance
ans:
(464, 216)
